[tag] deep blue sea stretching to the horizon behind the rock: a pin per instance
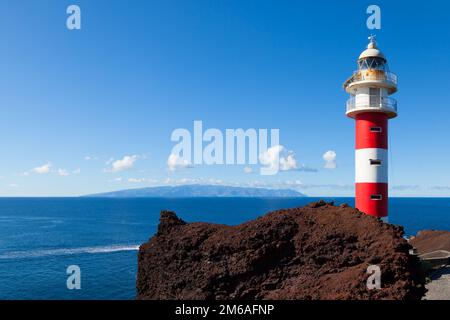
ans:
(41, 237)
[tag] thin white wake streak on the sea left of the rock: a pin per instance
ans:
(67, 251)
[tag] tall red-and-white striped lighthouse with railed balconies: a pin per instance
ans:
(371, 106)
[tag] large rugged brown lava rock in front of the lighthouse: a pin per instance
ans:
(320, 251)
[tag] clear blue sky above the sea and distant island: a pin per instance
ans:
(75, 102)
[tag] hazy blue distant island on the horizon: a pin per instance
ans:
(195, 190)
